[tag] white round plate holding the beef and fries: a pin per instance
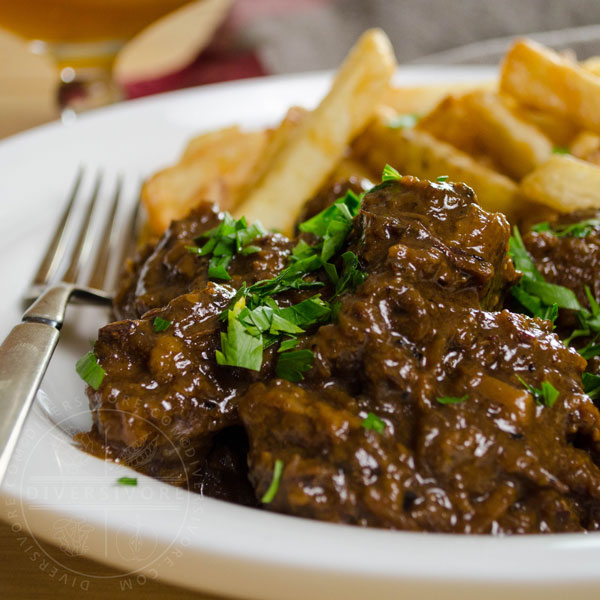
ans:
(154, 530)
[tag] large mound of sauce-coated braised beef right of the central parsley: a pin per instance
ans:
(491, 460)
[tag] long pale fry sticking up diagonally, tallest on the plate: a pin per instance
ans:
(303, 164)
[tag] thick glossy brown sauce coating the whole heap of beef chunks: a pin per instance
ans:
(427, 323)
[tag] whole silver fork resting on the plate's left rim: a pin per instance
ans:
(28, 348)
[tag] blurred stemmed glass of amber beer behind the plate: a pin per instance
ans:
(82, 37)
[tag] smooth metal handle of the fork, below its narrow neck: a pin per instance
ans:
(24, 358)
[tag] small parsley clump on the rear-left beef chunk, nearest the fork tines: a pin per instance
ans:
(230, 237)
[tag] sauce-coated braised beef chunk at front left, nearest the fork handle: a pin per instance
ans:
(164, 389)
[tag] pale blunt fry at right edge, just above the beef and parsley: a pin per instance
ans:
(565, 184)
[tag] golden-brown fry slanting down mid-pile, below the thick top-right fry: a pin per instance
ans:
(517, 146)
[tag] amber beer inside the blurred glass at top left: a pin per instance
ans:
(81, 21)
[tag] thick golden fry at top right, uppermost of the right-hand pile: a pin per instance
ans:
(541, 78)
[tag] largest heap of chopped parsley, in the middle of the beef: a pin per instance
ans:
(254, 319)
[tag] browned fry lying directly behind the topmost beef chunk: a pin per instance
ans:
(416, 152)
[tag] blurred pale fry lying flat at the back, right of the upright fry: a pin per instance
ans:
(420, 100)
